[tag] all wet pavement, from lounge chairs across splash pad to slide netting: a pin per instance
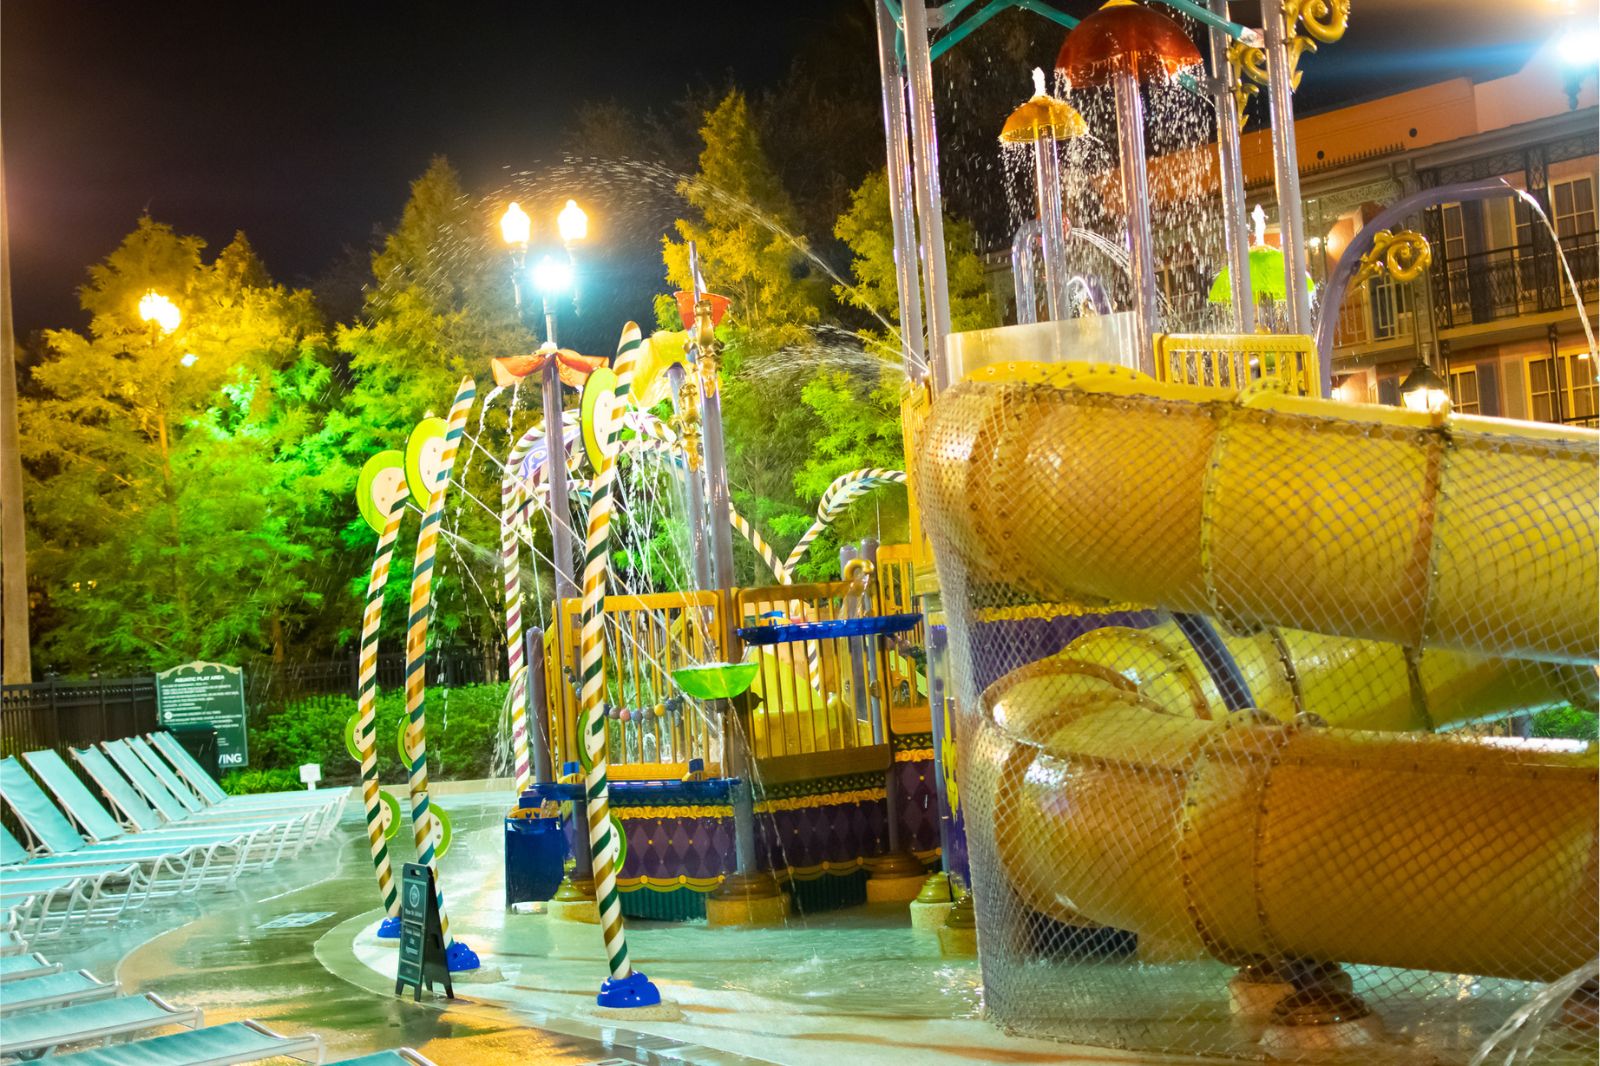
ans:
(295, 950)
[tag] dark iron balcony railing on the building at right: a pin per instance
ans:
(1513, 283)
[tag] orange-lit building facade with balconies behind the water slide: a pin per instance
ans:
(1498, 311)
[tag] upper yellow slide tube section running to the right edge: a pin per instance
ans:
(1478, 535)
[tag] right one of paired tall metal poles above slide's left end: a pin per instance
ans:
(930, 201)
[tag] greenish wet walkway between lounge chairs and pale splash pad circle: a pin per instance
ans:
(255, 955)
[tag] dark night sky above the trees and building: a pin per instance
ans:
(303, 124)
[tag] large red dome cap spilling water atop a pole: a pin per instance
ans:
(1126, 39)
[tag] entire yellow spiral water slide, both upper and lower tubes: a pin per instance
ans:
(1394, 571)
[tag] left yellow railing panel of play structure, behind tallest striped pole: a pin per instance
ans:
(646, 639)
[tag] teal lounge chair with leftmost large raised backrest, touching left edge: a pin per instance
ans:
(174, 867)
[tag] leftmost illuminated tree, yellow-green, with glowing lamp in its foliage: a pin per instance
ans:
(174, 495)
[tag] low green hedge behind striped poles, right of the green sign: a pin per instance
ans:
(462, 731)
